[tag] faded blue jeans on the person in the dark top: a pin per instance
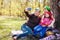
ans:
(26, 31)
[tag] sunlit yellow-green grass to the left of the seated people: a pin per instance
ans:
(7, 24)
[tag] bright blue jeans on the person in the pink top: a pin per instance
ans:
(39, 29)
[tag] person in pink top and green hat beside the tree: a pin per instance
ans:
(46, 21)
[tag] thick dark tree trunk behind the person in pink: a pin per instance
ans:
(55, 6)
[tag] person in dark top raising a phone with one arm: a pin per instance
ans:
(33, 21)
